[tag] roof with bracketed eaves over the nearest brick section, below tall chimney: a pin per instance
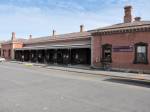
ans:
(122, 26)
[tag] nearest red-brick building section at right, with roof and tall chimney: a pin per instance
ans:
(125, 45)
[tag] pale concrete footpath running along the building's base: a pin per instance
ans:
(122, 75)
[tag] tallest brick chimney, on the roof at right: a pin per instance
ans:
(128, 15)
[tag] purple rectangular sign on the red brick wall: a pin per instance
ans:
(123, 49)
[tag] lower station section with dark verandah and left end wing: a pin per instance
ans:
(66, 49)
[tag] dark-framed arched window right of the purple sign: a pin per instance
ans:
(141, 52)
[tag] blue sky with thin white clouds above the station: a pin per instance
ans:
(40, 17)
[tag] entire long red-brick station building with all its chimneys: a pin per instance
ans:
(123, 46)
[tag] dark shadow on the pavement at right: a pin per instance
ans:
(129, 82)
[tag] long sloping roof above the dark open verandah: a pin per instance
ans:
(76, 35)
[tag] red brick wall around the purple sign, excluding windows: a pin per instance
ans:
(121, 59)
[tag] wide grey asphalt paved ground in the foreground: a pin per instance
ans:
(24, 88)
